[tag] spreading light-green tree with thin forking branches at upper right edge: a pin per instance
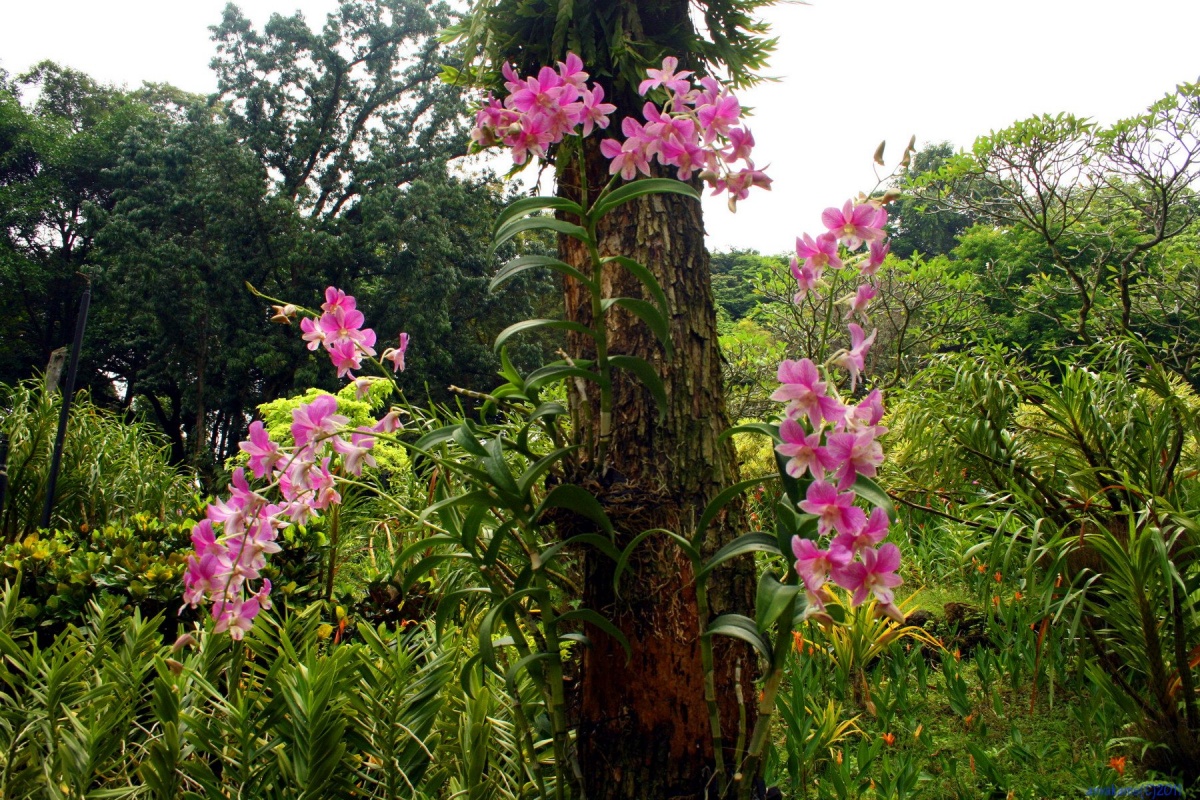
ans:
(1094, 228)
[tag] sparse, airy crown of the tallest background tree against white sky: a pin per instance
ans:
(335, 113)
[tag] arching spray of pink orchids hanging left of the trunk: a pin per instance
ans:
(239, 532)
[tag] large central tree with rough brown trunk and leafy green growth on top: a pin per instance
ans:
(643, 731)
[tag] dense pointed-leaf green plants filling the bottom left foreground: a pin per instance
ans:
(287, 714)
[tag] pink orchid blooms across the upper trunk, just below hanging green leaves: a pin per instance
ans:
(698, 130)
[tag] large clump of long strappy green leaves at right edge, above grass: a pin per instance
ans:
(1085, 482)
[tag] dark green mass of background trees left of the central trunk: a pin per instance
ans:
(171, 203)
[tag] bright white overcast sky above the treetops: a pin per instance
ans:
(853, 73)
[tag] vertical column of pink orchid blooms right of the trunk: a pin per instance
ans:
(832, 442)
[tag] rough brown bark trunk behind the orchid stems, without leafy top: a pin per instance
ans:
(644, 730)
